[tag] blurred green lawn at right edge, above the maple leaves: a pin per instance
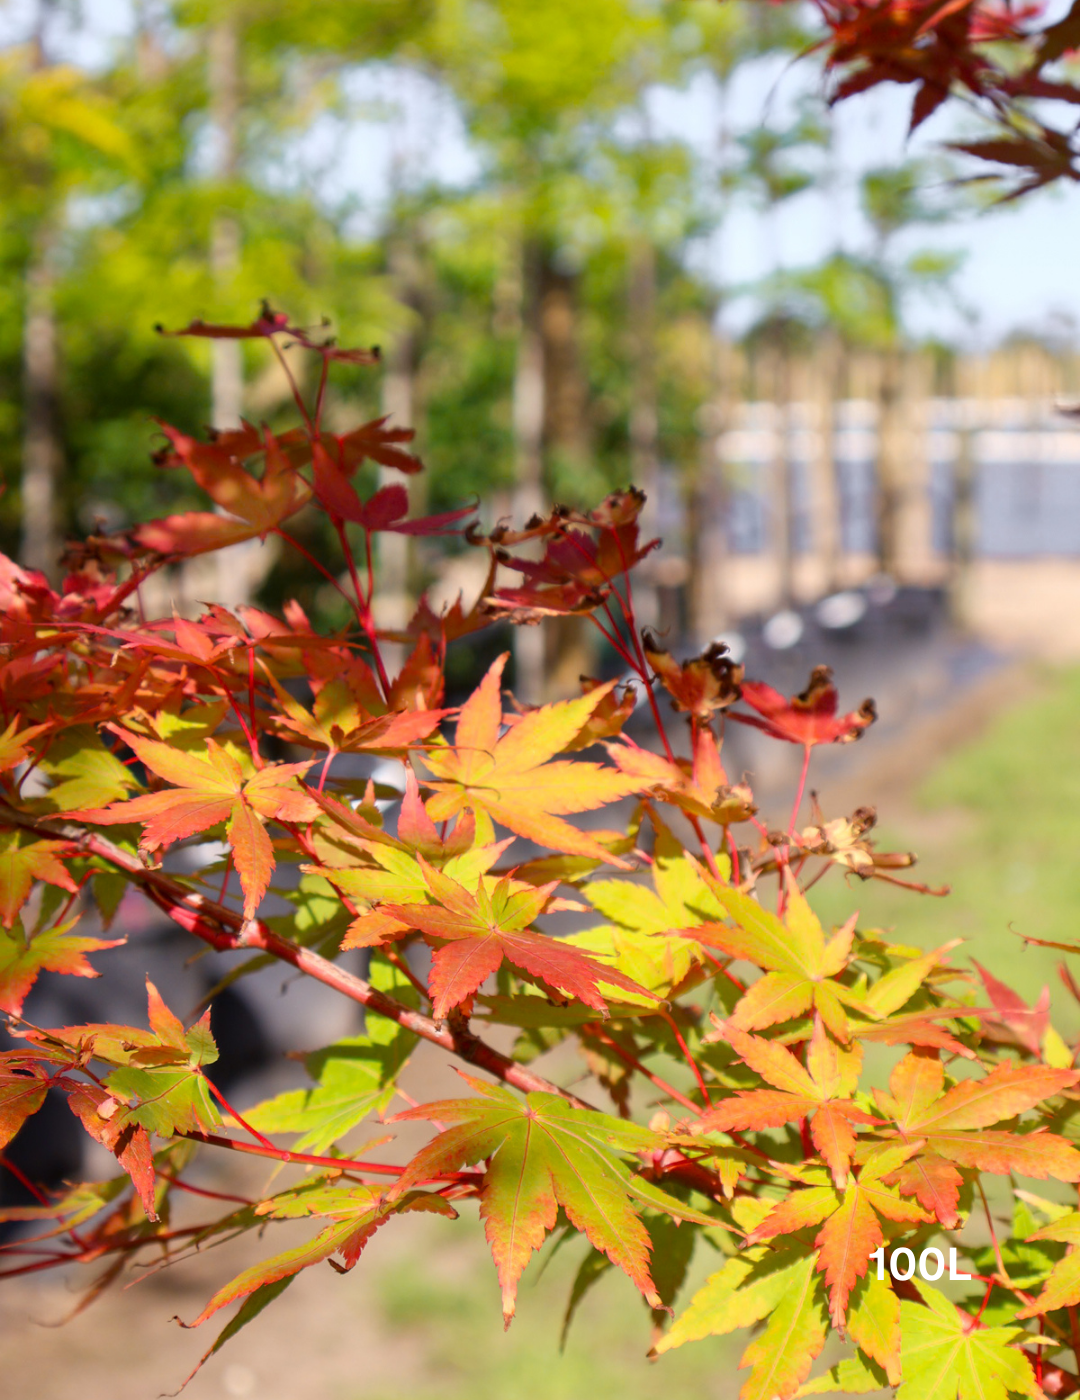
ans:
(999, 821)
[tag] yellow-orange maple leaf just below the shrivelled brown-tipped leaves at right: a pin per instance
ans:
(801, 968)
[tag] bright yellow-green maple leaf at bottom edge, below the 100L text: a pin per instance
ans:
(949, 1357)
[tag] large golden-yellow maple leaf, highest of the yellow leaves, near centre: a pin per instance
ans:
(511, 779)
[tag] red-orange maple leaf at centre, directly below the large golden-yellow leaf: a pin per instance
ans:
(474, 933)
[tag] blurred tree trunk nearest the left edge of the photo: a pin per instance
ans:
(43, 453)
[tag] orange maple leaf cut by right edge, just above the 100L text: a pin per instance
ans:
(953, 1126)
